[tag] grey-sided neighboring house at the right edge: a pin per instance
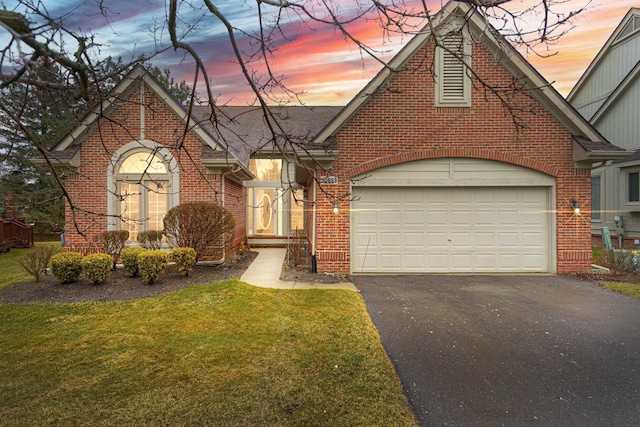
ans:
(608, 95)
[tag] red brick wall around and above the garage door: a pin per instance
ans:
(400, 123)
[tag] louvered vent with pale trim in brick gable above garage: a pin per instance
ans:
(453, 84)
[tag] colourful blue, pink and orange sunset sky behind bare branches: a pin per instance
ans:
(316, 61)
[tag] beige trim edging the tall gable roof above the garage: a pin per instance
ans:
(598, 148)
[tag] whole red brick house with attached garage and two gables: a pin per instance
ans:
(423, 171)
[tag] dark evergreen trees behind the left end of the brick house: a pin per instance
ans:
(33, 116)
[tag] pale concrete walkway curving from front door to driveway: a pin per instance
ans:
(265, 270)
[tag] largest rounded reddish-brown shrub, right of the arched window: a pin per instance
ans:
(199, 225)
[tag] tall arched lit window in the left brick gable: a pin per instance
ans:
(143, 186)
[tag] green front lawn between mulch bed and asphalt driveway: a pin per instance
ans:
(222, 354)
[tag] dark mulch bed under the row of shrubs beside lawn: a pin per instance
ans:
(120, 286)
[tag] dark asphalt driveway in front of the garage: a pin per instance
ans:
(510, 350)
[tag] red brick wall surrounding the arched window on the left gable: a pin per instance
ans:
(88, 188)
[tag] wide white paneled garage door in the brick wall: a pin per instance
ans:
(454, 229)
